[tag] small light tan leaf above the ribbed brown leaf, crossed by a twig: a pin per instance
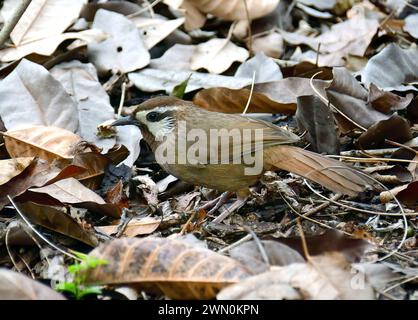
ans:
(135, 227)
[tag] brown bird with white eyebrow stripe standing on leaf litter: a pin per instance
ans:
(161, 118)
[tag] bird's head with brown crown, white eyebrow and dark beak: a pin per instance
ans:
(156, 117)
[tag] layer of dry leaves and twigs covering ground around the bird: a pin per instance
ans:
(340, 74)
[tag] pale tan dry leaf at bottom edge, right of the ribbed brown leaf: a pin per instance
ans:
(325, 277)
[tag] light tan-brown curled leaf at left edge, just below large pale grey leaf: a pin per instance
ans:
(38, 141)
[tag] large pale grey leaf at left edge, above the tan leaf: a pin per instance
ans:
(42, 99)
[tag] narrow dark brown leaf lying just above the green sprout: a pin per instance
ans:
(56, 219)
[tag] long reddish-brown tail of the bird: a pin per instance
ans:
(329, 173)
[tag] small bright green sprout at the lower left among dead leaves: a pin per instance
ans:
(78, 287)
